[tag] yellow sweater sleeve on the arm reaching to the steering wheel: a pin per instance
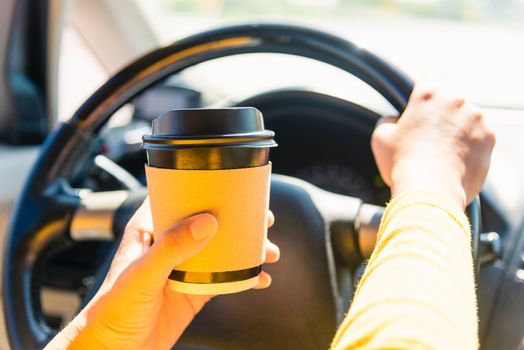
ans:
(418, 290)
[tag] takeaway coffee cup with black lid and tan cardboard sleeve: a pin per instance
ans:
(217, 161)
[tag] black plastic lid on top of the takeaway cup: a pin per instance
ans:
(186, 128)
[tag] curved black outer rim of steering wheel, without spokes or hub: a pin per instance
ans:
(62, 152)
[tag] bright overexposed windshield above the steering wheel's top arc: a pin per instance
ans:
(474, 46)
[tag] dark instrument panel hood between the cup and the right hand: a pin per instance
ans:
(323, 140)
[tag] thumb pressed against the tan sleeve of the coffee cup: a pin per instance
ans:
(175, 246)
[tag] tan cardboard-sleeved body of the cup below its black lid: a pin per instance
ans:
(239, 199)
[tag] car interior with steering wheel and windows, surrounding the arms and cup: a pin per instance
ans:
(83, 80)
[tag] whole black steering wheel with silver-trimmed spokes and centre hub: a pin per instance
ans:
(322, 235)
